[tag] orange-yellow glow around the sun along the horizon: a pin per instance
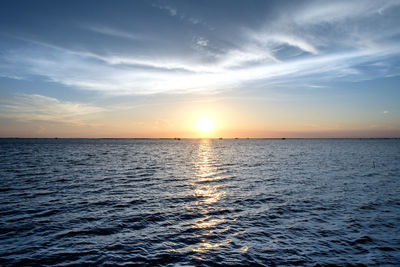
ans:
(223, 118)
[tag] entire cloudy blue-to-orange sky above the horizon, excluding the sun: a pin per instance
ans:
(134, 69)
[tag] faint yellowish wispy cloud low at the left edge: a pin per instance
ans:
(25, 107)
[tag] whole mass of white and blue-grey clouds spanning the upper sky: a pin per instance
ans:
(301, 42)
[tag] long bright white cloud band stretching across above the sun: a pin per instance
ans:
(85, 72)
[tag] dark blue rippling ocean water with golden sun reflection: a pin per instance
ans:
(199, 202)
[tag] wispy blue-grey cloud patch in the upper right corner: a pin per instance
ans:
(319, 27)
